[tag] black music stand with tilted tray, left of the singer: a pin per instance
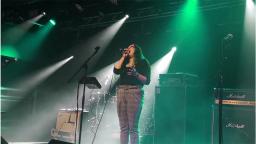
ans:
(91, 83)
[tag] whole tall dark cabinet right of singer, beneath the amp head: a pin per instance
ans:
(177, 113)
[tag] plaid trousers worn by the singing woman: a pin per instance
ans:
(129, 105)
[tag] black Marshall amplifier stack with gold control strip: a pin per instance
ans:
(238, 116)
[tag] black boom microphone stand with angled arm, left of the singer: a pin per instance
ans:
(85, 67)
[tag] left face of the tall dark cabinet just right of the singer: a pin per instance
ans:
(170, 115)
